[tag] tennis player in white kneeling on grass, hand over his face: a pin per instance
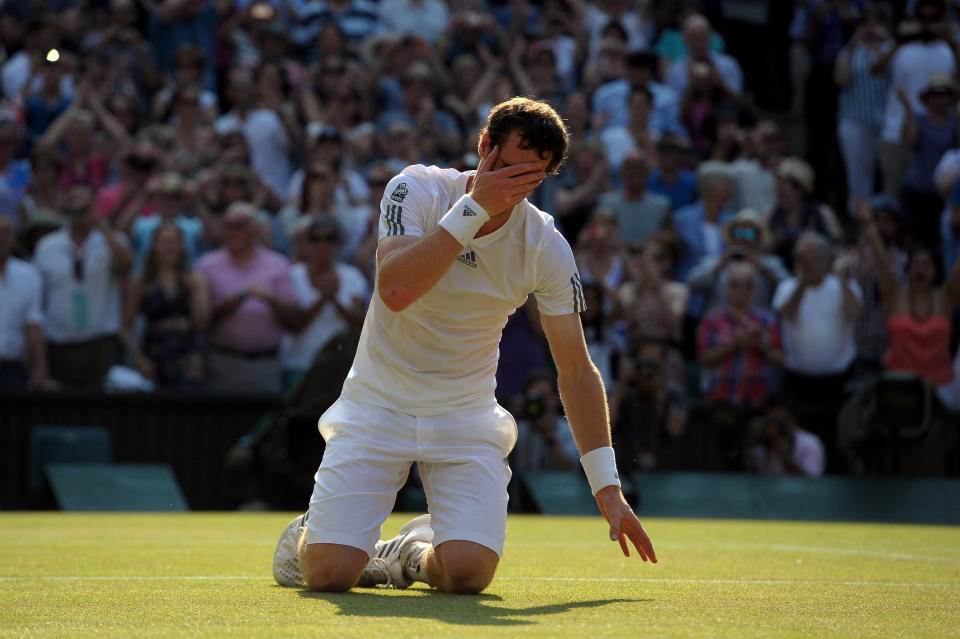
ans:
(459, 252)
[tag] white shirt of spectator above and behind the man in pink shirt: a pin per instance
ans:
(268, 142)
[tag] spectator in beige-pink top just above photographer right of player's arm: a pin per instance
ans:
(653, 306)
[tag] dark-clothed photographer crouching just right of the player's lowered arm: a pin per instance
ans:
(647, 412)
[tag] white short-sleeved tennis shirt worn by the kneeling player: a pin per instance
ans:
(439, 355)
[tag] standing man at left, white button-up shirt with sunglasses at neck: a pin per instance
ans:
(82, 267)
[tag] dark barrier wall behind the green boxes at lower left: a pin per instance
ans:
(190, 432)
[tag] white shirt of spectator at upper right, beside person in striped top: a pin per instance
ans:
(910, 69)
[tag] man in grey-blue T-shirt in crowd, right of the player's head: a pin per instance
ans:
(638, 212)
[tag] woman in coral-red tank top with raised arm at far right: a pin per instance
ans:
(918, 311)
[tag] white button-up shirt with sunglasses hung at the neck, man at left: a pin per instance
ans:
(85, 308)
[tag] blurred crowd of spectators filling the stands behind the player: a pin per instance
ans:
(765, 211)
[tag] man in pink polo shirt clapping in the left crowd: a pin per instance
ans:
(252, 300)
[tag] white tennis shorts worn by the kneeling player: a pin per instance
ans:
(463, 464)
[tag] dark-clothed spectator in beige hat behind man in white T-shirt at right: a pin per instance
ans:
(798, 210)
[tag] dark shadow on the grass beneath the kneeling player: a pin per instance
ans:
(476, 610)
